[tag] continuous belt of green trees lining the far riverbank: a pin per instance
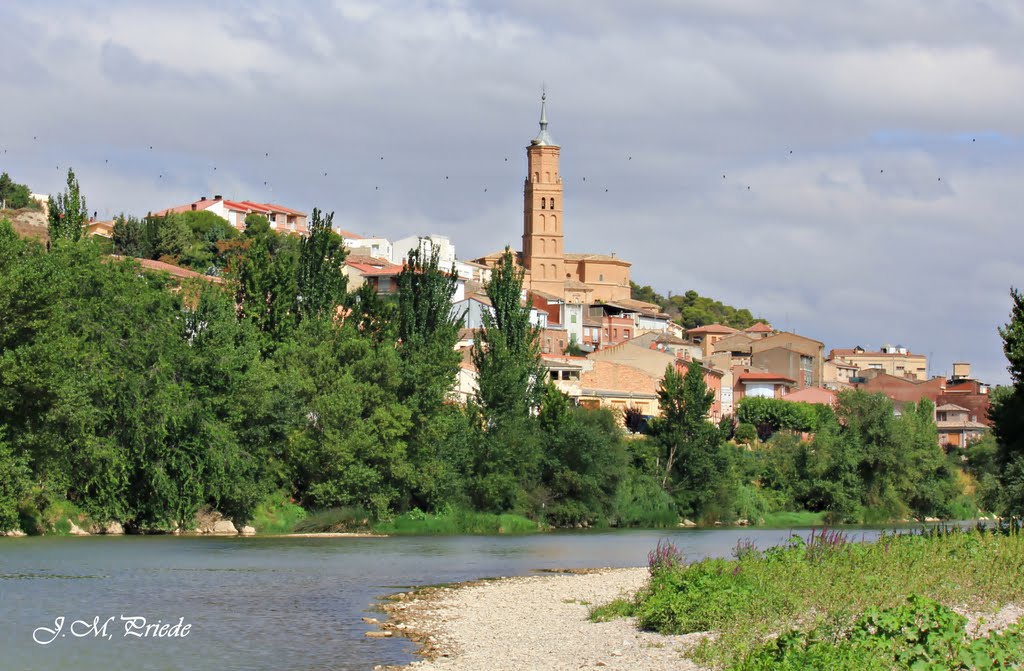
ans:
(278, 396)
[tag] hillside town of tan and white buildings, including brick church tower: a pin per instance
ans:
(602, 347)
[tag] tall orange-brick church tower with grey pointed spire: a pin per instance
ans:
(543, 254)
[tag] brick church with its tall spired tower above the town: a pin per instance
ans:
(574, 278)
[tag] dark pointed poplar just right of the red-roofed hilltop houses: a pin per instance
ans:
(322, 286)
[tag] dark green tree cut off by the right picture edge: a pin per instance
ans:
(1008, 412)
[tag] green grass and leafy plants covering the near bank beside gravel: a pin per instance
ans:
(831, 603)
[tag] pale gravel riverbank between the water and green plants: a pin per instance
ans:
(538, 622)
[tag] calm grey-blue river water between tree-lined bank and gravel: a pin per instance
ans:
(259, 604)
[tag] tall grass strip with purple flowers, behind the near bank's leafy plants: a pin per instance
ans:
(825, 577)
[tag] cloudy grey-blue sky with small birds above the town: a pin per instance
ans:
(851, 172)
